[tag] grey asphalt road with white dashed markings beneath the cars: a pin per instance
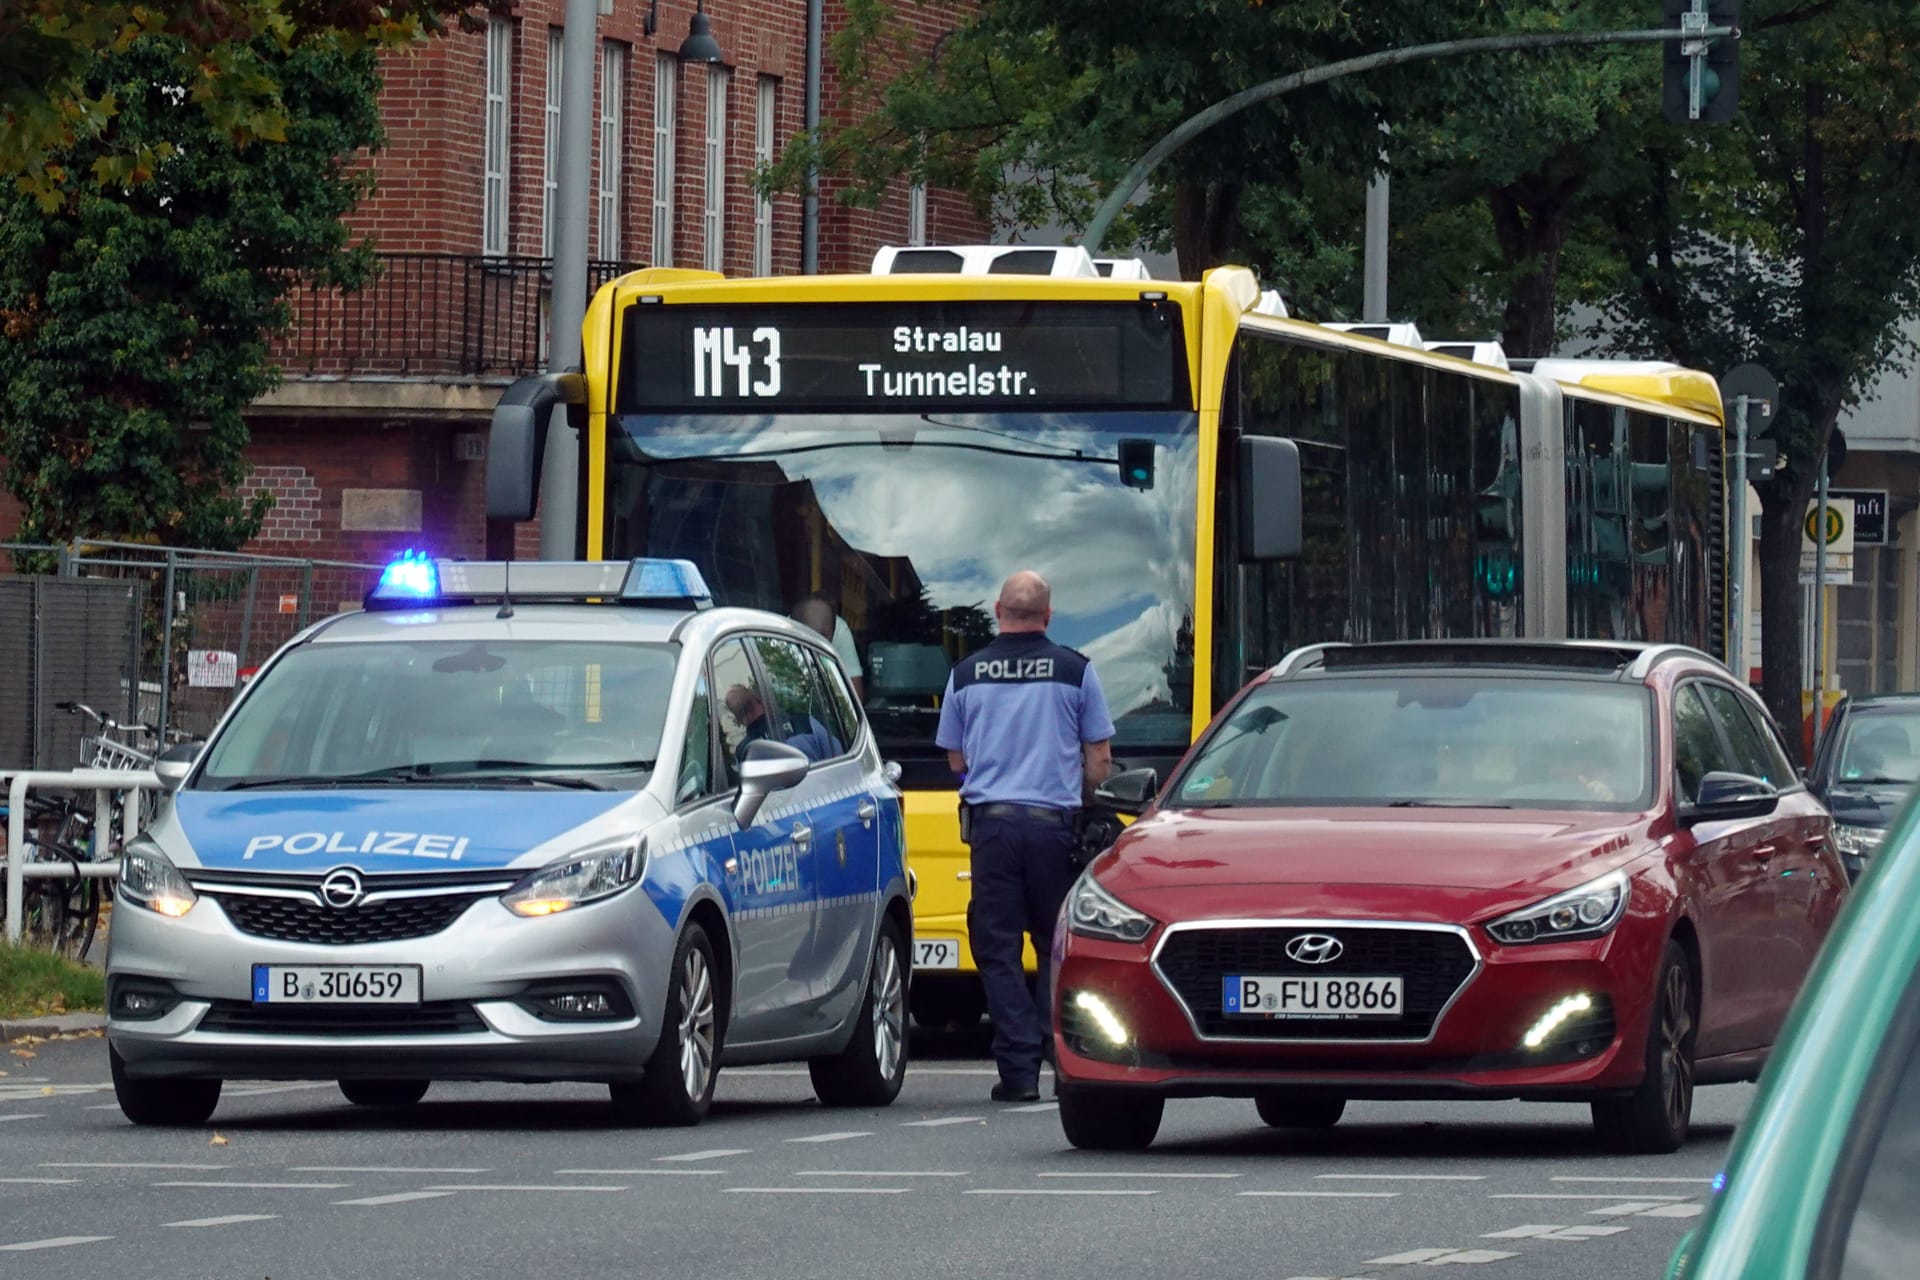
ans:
(291, 1181)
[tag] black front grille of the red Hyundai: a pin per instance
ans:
(1433, 964)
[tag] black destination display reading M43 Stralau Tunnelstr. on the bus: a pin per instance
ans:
(948, 356)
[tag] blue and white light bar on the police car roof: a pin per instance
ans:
(416, 581)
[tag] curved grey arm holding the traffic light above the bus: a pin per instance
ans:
(1228, 108)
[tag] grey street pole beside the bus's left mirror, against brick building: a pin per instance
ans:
(567, 310)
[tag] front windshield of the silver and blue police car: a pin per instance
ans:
(450, 713)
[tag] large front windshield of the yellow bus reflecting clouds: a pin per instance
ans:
(909, 523)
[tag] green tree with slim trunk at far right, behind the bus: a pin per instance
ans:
(1790, 239)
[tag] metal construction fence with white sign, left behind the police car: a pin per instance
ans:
(156, 636)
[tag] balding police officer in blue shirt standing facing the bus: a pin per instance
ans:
(1026, 726)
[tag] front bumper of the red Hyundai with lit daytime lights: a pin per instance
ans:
(1164, 995)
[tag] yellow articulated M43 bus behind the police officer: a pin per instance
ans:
(903, 440)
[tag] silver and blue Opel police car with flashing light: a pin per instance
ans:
(521, 822)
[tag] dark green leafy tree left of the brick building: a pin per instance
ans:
(137, 318)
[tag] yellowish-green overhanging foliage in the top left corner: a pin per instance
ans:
(226, 55)
